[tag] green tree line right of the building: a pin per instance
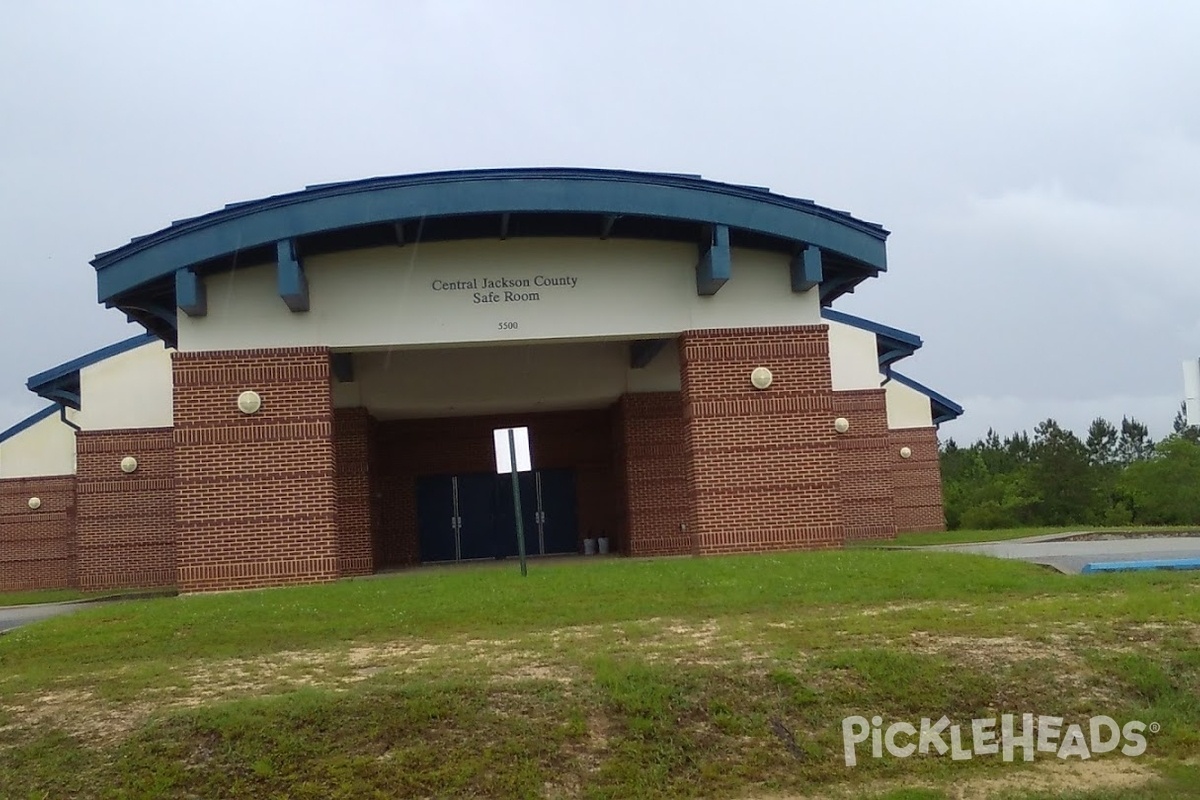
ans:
(1119, 476)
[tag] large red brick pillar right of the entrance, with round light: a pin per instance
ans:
(763, 466)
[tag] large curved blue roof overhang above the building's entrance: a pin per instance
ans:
(141, 278)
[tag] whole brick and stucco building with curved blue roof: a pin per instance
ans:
(321, 374)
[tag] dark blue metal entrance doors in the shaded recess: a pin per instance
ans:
(465, 518)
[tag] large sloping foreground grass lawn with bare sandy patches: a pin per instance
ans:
(607, 678)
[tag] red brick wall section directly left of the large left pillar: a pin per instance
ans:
(125, 524)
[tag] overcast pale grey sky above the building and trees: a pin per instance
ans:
(1039, 164)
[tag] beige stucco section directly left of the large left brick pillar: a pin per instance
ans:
(131, 390)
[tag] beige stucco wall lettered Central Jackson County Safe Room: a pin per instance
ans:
(436, 294)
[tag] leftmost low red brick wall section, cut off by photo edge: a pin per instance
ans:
(38, 548)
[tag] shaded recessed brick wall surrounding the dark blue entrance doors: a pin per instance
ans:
(409, 449)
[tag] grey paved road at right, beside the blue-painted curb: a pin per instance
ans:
(1071, 557)
